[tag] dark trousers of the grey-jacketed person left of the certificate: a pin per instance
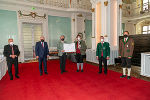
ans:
(62, 62)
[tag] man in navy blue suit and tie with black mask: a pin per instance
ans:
(42, 53)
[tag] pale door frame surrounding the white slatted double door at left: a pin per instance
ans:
(25, 19)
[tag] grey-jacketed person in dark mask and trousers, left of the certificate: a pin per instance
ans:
(61, 53)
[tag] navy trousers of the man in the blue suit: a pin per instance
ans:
(44, 60)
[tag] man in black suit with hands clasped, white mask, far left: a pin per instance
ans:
(11, 52)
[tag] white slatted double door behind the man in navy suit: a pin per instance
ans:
(31, 34)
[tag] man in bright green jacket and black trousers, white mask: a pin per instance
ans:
(103, 54)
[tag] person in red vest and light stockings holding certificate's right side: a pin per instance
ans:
(80, 52)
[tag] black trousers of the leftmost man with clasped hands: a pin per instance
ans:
(9, 64)
